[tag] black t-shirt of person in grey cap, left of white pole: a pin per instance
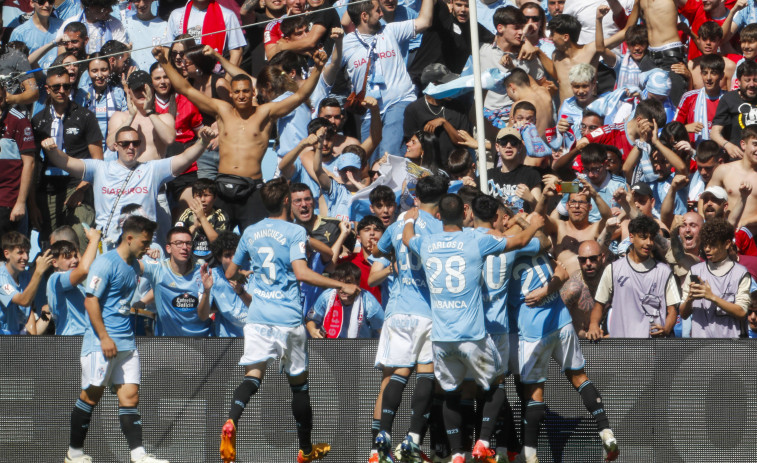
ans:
(419, 112)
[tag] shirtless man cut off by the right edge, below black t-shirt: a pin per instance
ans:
(732, 175)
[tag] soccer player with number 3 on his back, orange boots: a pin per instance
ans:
(276, 249)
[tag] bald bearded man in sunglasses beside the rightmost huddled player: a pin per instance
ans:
(578, 291)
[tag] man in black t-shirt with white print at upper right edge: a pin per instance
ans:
(736, 110)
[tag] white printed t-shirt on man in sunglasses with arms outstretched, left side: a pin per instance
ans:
(107, 178)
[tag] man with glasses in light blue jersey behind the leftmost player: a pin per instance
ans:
(179, 287)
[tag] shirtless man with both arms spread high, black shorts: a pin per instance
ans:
(244, 130)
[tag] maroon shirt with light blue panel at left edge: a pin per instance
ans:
(18, 140)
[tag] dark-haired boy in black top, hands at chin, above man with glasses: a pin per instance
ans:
(202, 219)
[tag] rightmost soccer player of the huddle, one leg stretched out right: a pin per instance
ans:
(545, 331)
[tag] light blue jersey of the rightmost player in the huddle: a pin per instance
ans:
(535, 323)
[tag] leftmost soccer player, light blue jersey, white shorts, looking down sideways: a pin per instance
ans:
(109, 351)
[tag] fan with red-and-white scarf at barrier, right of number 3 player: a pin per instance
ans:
(340, 315)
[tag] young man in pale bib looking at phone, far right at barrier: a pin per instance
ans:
(716, 292)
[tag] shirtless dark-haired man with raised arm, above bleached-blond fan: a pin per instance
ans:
(565, 31)
